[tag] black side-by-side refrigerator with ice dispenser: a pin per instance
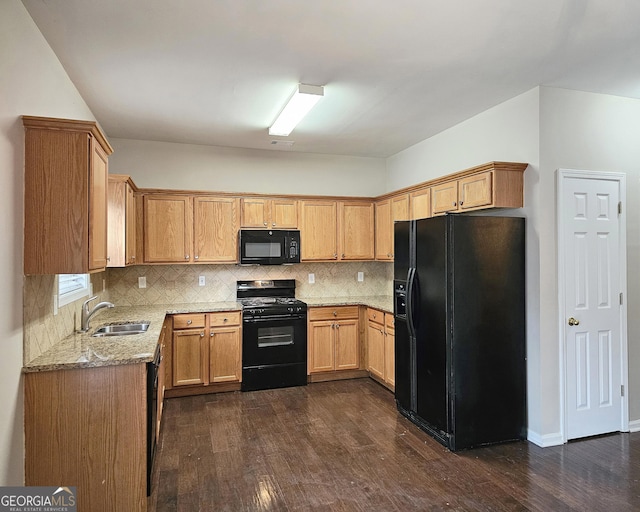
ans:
(459, 306)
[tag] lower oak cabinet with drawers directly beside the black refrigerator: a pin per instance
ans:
(381, 346)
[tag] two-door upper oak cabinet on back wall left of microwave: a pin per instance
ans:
(187, 229)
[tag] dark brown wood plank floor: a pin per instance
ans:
(341, 446)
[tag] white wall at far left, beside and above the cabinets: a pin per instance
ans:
(32, 82)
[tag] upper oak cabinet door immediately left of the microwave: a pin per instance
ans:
(215, 229)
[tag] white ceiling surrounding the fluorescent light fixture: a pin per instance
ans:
(217, 72)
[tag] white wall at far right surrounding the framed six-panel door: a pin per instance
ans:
(590, 132)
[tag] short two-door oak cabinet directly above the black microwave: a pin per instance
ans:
(258, 212)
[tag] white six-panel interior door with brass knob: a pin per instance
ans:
(593, 265)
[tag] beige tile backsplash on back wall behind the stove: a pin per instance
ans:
(172, 284)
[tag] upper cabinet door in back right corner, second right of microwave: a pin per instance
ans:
(357, 231)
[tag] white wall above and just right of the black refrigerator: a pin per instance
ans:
(507, 132)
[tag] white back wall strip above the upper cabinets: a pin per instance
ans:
(192, 167)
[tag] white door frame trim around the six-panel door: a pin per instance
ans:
(620, 178)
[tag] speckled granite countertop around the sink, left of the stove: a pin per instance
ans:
(82, 350)
